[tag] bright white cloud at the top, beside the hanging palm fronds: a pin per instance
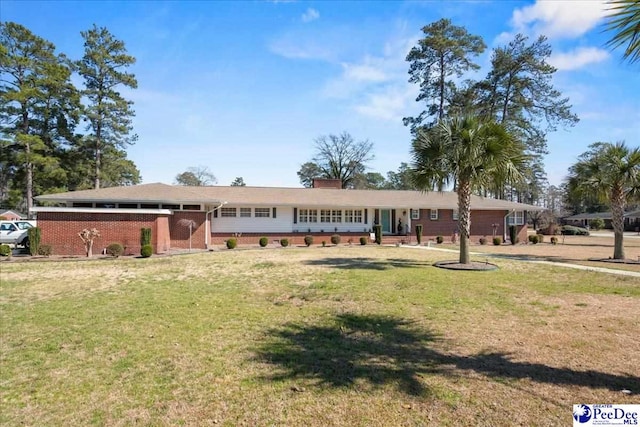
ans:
(559, 19)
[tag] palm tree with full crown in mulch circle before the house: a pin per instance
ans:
(474, 155)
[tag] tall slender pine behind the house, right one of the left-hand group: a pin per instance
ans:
(108, 113)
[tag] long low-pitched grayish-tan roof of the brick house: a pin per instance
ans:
(278, 196)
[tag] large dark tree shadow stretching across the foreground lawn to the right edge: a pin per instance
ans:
(384, 350)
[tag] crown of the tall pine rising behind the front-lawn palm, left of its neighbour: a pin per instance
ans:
(443, 54)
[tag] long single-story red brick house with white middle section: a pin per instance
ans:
(218, 213)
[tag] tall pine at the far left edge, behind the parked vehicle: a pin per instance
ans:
(38, 107)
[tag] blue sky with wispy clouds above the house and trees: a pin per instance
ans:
(244, 88)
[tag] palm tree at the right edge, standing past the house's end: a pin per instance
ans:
(609, 173)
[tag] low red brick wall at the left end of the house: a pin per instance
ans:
(60, 230)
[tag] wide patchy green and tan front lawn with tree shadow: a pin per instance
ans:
(310, 336)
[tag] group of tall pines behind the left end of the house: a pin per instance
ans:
(55, 136)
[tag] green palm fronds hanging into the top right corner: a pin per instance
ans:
(624, 21)
